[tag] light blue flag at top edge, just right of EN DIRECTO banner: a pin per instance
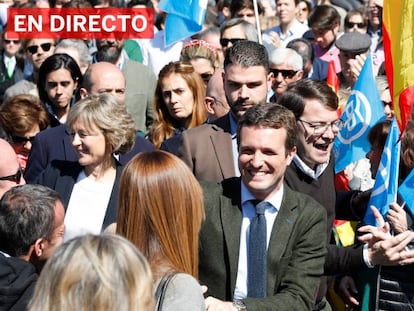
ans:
(185, 18)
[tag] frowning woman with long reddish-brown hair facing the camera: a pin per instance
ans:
(178, 102)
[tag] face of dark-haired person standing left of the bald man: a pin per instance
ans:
(60, 87)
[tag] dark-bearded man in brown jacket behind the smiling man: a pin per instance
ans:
(210, 150)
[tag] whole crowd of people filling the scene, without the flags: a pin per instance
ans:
(199, 175)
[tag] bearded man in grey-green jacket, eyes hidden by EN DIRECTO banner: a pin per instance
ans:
(140, 81)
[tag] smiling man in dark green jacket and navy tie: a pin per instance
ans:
(294, 224)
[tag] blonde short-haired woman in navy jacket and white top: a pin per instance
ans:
(101, 128)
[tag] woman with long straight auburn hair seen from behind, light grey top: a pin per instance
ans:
(160, 211)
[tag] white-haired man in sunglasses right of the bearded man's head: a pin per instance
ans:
(287, 67)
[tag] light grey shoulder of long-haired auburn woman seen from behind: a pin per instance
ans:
(183, 293)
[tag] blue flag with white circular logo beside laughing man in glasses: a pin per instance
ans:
(362, 111)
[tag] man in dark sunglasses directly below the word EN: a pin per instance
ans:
(37, 50)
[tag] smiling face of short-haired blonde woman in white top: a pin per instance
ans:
(89, 143)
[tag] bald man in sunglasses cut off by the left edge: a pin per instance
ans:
(10, 171)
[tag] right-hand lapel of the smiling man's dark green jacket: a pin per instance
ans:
(282, 229)
